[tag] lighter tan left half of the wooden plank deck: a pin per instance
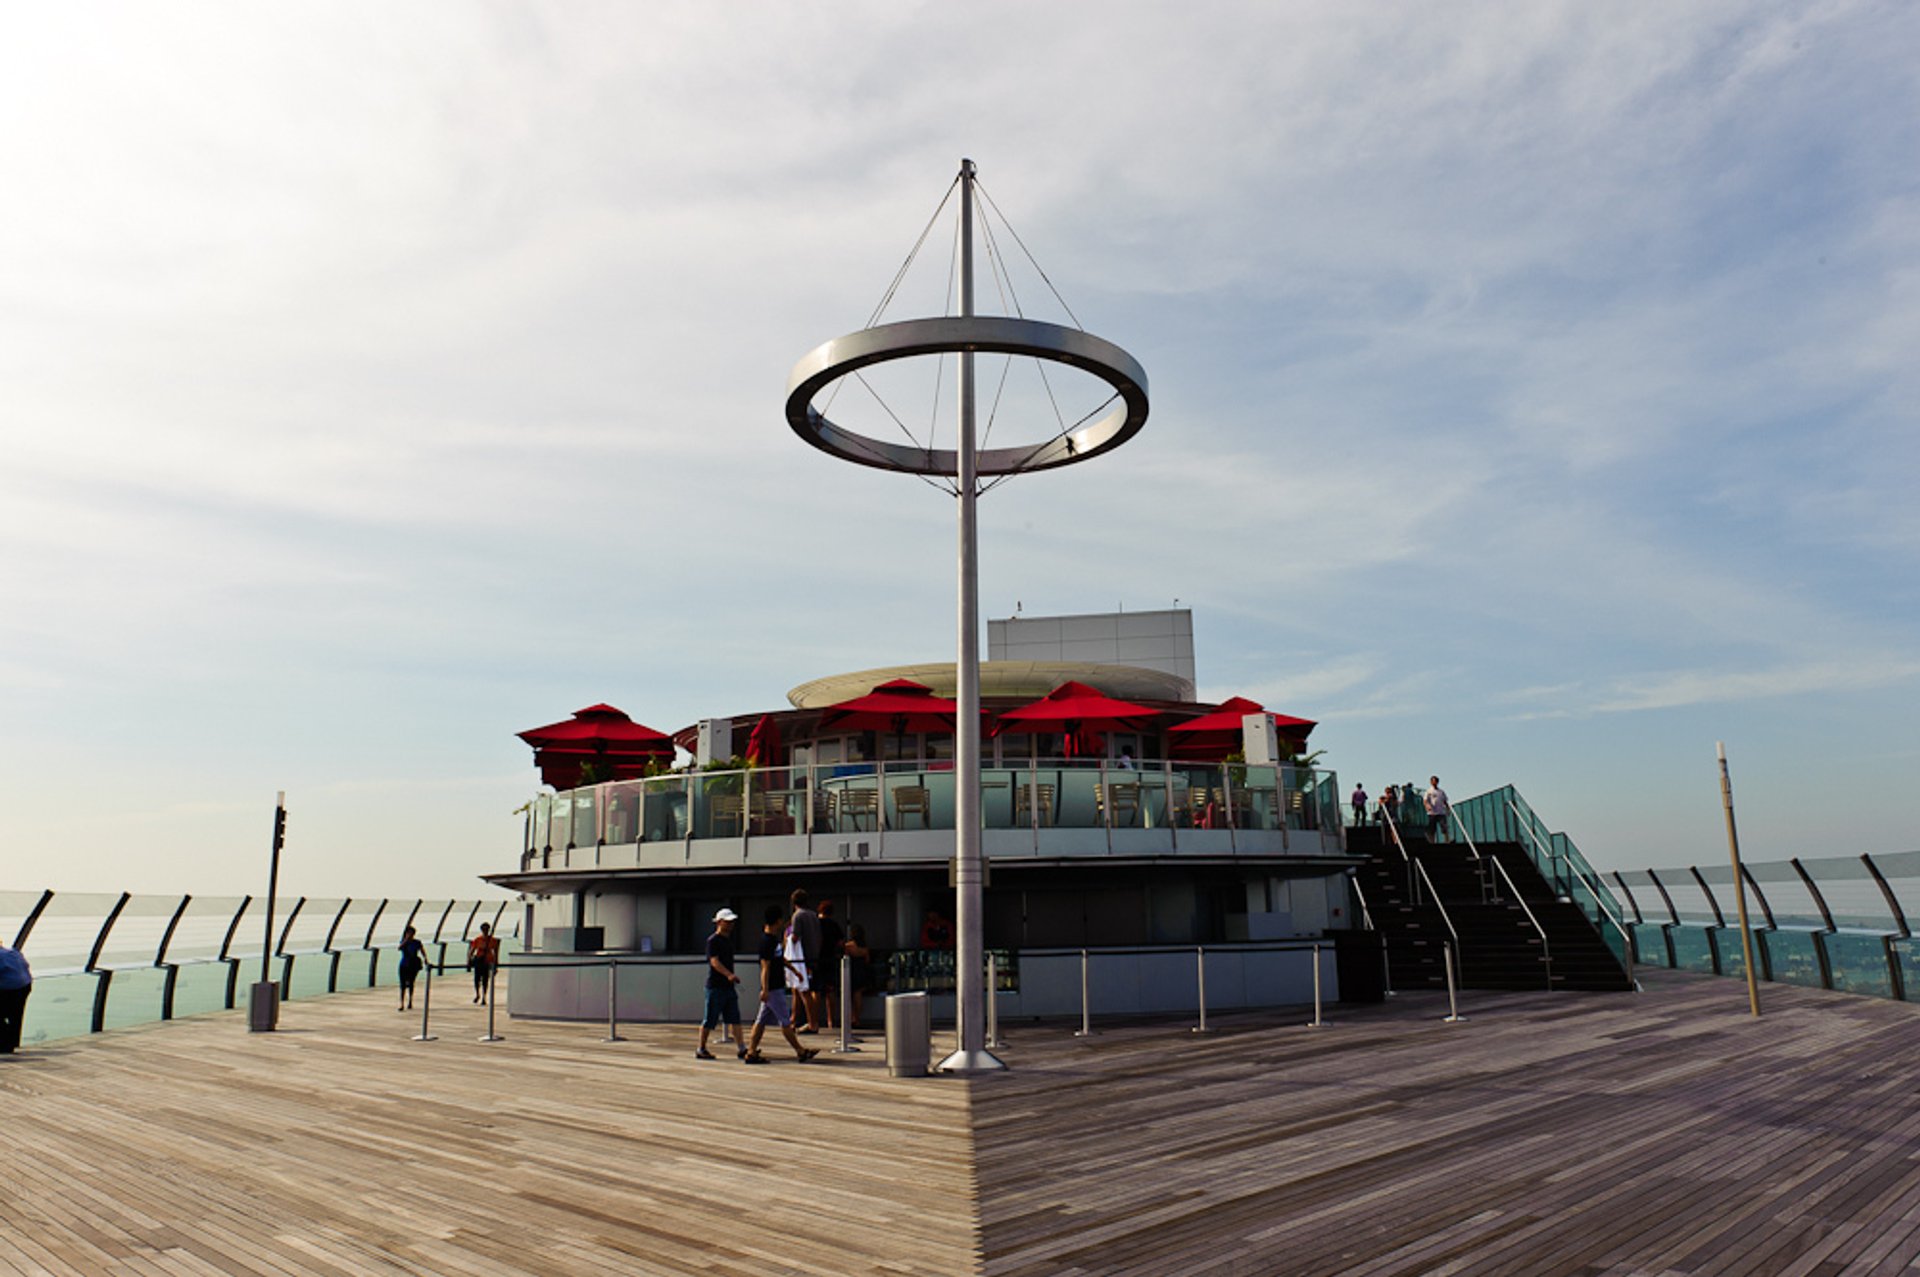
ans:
(339, 1145)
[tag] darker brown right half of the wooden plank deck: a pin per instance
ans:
(1550, 1134)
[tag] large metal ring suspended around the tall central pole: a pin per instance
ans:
(959, 335)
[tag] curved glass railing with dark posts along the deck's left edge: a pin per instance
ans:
(105, 961)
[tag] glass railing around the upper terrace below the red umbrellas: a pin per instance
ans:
(859, 798)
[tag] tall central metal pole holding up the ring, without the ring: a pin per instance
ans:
(972, 1055)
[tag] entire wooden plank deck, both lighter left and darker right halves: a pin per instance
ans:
(1548, 1136)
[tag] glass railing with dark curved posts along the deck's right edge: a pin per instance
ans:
(1831, 923)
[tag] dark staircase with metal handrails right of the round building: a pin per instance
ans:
(1499, 944)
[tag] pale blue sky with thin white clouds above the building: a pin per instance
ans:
(1533, 398)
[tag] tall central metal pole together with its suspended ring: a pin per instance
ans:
(967, 335)
